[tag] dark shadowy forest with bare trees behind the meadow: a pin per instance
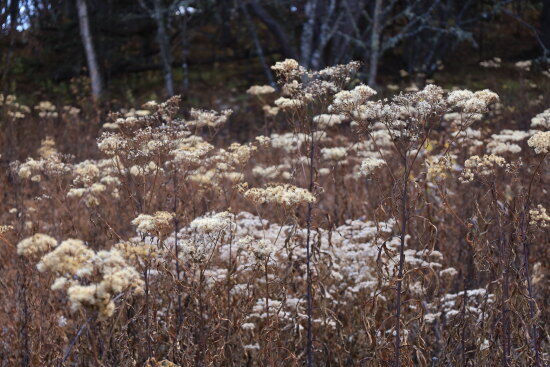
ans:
(129, 51)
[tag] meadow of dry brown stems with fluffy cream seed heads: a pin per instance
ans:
(356, 231)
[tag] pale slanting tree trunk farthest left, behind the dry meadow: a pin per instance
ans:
(91, 58)
